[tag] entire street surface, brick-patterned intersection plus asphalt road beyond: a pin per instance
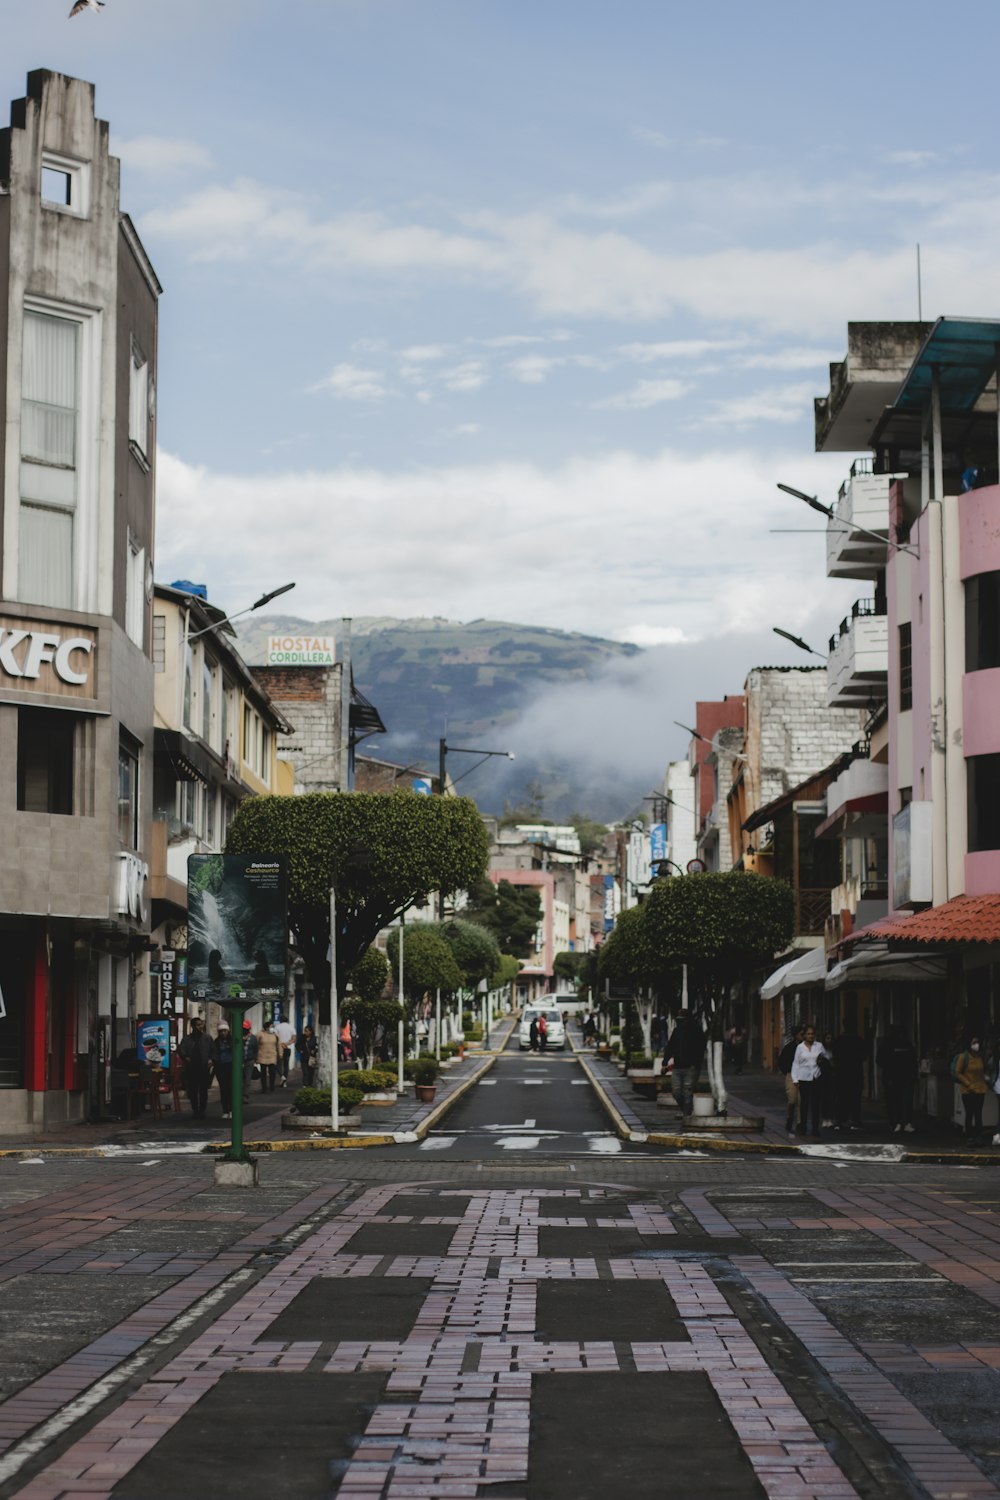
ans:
(467, 1318)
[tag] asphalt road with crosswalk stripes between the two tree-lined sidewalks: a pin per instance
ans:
(528, 1103)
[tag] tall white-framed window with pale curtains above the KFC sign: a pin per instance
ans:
(50, 415)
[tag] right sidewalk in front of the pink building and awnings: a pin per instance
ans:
(756, 1093)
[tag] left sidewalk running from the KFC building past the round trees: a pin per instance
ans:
(385, 1126)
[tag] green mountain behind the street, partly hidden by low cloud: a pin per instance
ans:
(472, 683)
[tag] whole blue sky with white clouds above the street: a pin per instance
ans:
(518, 308)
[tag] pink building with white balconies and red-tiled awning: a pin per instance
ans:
(920, 517)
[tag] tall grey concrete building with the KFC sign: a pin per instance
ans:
(79, 335)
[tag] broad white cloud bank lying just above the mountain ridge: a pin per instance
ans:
(669, 542)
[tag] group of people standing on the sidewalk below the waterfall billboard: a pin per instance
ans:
(266, 1054)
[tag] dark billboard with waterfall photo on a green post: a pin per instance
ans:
(238, 928)
